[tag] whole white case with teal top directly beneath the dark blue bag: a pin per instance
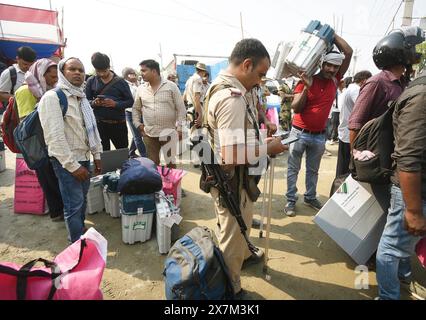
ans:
(137, 212)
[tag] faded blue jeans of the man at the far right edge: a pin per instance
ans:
(395, 249)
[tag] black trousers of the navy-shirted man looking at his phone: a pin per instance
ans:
(115, 132)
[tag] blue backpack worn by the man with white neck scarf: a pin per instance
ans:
(29, 136)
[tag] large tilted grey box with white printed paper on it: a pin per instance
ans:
(354, 218)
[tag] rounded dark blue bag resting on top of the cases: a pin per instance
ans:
(139, 176)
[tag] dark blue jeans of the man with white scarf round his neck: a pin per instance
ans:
(74, 195)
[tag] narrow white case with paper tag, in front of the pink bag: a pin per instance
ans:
(167, 221)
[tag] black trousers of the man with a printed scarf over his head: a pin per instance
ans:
(49, 183)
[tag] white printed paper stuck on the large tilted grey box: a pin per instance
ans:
(351, 201)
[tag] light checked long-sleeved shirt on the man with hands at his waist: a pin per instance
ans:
(161, 110)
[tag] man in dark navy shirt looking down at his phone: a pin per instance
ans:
(109, 96)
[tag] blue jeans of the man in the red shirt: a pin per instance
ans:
(314, 146)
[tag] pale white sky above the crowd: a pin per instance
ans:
(131, 31)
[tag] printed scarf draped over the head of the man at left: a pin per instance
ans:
(34, 77)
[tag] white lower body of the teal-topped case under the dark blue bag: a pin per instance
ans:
(136, 227)
